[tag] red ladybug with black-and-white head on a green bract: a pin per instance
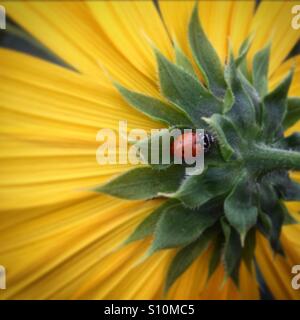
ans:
(191, 141)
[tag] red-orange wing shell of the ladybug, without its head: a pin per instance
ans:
(186, 145)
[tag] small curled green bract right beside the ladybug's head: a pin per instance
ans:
(223, 128)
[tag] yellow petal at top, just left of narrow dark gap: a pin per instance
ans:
(128, 27)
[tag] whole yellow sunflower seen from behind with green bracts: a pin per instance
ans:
(229, 233)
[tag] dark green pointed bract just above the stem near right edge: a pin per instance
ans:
(274, 107)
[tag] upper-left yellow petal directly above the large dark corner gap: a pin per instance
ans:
(82, 45)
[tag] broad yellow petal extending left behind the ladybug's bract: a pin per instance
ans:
(52, 123)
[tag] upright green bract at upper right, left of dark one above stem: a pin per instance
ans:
(260, 70)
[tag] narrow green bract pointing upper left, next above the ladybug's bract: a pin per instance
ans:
(154, 108)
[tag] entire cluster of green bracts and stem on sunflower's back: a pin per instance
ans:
(245, 180)
